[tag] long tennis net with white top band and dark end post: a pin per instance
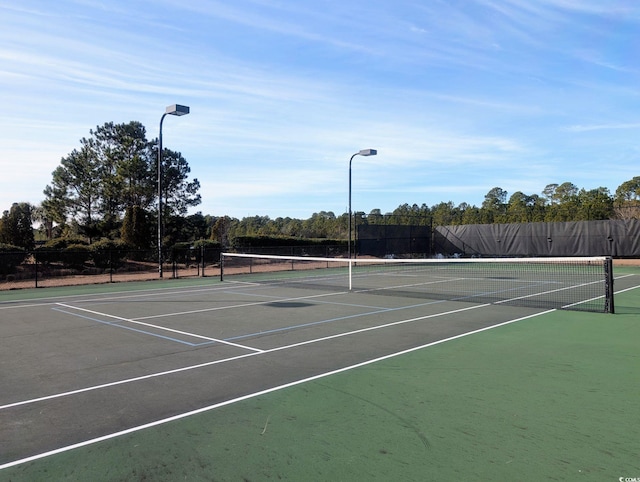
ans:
(573, 283)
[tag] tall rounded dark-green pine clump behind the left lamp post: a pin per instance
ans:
(114, 170)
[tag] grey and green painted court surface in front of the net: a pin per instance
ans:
(437, 390)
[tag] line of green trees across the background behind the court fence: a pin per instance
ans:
(106, 190)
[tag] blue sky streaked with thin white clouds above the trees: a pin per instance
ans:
(458, 96)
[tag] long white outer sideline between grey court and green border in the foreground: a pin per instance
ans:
(257, 394)
